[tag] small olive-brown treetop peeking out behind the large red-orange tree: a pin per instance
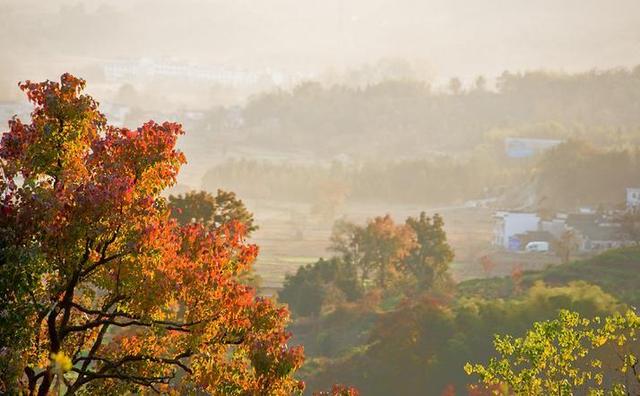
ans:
(212, 211)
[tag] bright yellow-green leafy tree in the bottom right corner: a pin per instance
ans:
(569, 355)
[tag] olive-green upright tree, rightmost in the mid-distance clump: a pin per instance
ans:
(429, 258)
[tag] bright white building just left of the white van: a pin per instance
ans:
(510, 224)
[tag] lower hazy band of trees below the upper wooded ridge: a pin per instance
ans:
(573, 174)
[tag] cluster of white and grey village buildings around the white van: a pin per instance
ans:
(593, 230)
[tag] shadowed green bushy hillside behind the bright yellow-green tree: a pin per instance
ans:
(392, 341)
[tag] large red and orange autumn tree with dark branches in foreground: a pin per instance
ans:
(107, 293)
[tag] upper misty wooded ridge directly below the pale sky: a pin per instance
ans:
(404, 118)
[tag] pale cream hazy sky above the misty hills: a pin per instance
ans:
(445, 37)
